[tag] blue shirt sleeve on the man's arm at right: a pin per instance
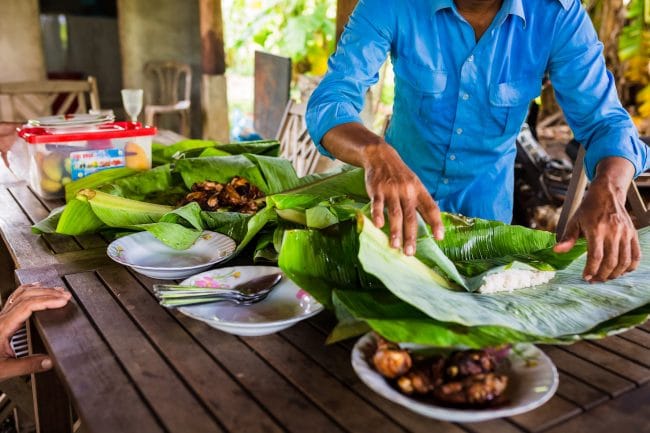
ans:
(586, 91)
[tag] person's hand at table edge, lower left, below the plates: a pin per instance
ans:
(19, 306)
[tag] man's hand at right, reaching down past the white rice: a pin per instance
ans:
(612, 241)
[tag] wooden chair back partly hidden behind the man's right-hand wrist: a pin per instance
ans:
(576, 192)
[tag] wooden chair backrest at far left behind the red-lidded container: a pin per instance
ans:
(24, 100)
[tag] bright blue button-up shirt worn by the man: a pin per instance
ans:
(459, 103)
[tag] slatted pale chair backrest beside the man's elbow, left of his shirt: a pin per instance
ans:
(297, 146)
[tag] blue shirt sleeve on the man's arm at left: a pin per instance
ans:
(352, 69)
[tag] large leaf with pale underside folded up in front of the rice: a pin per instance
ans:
(567, 305)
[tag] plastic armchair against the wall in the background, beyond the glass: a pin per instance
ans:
(169, 93)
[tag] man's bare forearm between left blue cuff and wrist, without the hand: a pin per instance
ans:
(354, 143)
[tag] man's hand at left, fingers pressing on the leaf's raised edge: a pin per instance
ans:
(392, 185)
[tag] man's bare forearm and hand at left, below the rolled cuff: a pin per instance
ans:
(389, 182)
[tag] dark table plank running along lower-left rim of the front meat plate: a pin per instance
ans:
(336, 360)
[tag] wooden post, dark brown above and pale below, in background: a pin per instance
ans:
(214, 100)
